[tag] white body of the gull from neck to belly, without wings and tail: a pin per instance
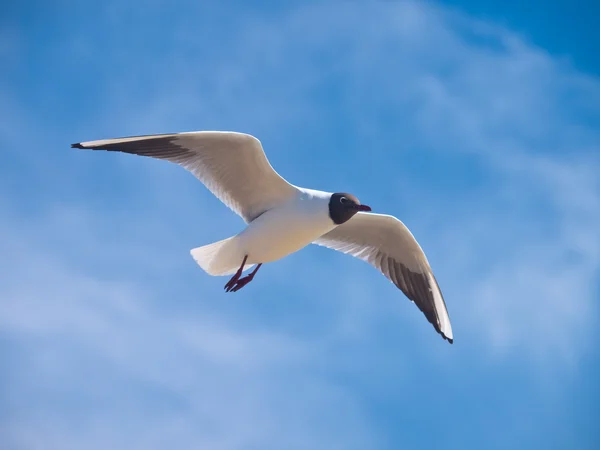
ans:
(288, 228)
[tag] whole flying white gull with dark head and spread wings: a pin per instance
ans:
(282, 218)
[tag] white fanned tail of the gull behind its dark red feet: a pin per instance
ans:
(220, 258)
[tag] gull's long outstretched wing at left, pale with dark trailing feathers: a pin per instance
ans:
(233, 166)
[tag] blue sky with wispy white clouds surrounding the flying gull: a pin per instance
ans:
(477, 125)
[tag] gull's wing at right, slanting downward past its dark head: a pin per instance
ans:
(384, 242)
